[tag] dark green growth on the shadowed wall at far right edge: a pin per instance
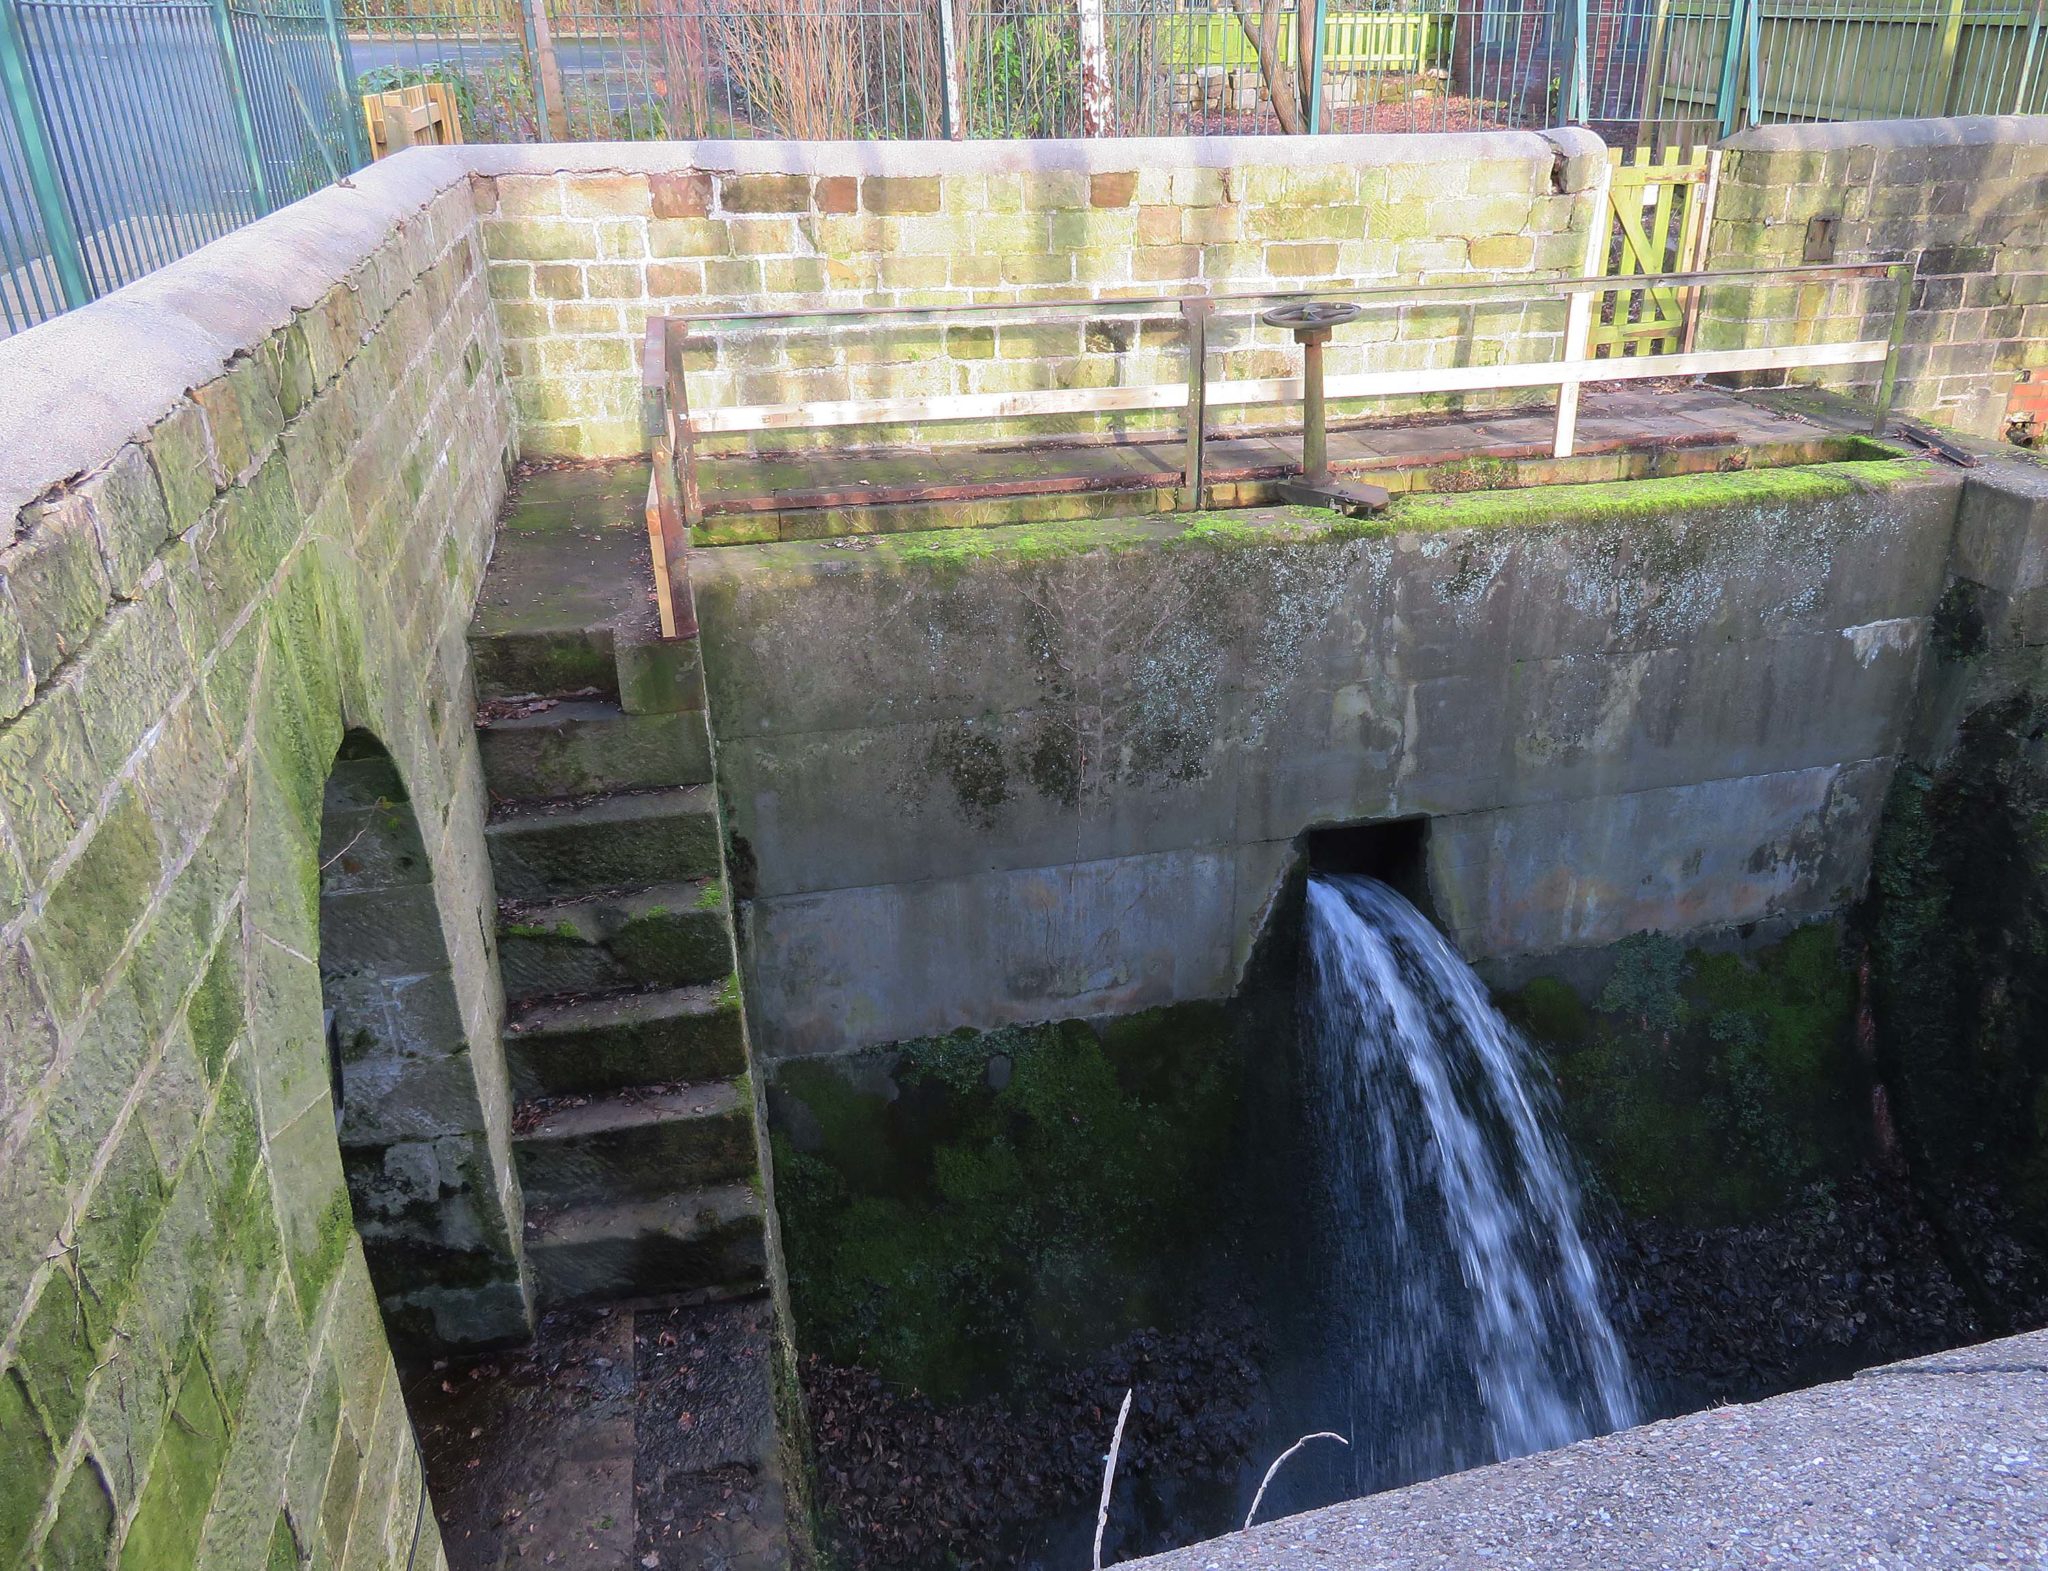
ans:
(1959, 923)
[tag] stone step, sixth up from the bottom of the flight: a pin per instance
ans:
(589, 747)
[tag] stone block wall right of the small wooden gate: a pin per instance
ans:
(1959, 198)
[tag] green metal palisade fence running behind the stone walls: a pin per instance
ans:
(138, 130)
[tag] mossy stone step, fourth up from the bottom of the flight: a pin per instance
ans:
(660, 937)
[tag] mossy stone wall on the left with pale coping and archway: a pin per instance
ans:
(198, 593)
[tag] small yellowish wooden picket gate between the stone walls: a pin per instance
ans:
(1658, 212)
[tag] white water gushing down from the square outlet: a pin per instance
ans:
(1467, 1308)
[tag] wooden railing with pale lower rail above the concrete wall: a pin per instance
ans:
(673, 427)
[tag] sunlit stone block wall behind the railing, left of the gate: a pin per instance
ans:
(589, 243)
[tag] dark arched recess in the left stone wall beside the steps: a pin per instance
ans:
(435, 1209)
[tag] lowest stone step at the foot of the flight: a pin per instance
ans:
(710, 1238)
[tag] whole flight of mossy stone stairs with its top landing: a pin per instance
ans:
(634, 1113)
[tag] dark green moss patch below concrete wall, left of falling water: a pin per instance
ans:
(1031, 1191)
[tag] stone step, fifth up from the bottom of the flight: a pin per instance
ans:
(560, 851)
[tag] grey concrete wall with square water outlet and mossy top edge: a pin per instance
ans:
(1058, 771)
